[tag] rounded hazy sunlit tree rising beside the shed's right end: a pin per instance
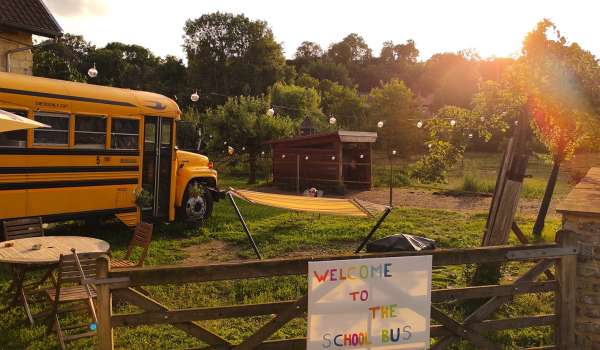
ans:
(395, 105)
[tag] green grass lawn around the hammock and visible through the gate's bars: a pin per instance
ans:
(280, 233)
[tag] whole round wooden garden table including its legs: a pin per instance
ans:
(22, 257)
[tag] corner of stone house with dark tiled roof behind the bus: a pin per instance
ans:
(20, 20)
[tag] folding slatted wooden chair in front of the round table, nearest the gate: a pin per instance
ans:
(73, 286)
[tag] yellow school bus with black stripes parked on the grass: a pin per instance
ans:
(104, 145)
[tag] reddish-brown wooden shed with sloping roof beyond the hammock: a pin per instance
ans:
(342, 159)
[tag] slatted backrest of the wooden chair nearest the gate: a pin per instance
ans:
(74, 269)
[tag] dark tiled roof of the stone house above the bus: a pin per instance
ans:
(31, 16)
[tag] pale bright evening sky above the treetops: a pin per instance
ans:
(492, 28)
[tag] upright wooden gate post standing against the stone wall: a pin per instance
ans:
(565, 300)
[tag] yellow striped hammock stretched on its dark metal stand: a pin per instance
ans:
(332, 206)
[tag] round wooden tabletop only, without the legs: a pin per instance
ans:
(51, 248)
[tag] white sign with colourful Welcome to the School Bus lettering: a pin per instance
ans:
(369, 303)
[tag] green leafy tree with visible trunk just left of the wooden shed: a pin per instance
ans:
(243, 122)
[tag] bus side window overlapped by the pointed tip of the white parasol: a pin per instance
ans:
(57, 134)
